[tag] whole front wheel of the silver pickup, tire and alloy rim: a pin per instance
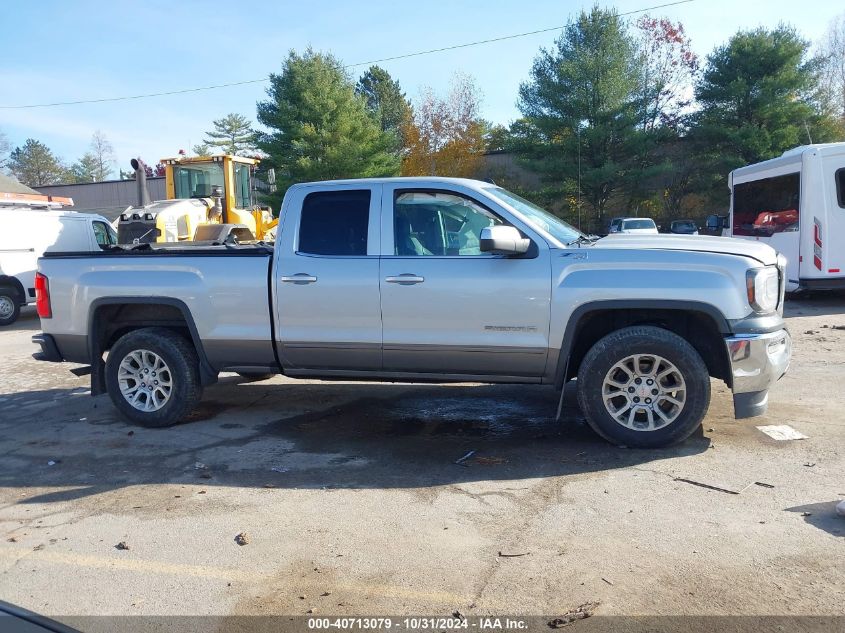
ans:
(643, 386)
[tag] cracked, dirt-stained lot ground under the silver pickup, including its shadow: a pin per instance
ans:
(352, 503)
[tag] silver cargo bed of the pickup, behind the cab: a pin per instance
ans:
(222, 289)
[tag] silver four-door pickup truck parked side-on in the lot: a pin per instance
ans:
(428, 279)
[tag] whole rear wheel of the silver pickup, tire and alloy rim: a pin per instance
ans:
(152, 376)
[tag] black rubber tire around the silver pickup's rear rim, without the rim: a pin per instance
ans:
(181, 359)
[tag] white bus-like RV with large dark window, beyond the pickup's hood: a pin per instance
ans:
(796, 204)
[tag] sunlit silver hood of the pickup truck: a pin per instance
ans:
(763, 253)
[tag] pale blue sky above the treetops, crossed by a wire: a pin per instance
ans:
(65, 51)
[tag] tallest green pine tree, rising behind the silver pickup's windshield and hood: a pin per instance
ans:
(581, 100)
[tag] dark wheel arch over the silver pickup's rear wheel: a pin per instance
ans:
(109, 318)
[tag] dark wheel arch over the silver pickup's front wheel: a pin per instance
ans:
(591, 321)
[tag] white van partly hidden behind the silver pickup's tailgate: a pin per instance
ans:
(26, 234)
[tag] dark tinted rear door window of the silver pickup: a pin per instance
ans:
(335, 223)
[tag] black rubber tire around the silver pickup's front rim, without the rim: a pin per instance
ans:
(621, 344)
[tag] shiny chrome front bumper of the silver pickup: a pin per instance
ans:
(757, 362)
